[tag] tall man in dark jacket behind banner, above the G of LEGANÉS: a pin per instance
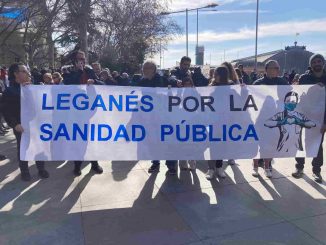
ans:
(81, 74)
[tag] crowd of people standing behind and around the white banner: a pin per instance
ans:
(183, 76)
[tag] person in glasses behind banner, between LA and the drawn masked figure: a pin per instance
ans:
(271, 77)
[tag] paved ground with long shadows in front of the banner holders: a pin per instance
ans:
(126, 205)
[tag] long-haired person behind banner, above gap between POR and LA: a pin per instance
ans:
(221, 78)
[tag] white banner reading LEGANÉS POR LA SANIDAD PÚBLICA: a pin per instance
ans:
(129, 123)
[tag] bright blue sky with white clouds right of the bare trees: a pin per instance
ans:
(231, 29)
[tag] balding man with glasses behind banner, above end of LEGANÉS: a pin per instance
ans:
(152, 79)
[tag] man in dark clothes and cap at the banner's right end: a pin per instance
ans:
(316, 75)
